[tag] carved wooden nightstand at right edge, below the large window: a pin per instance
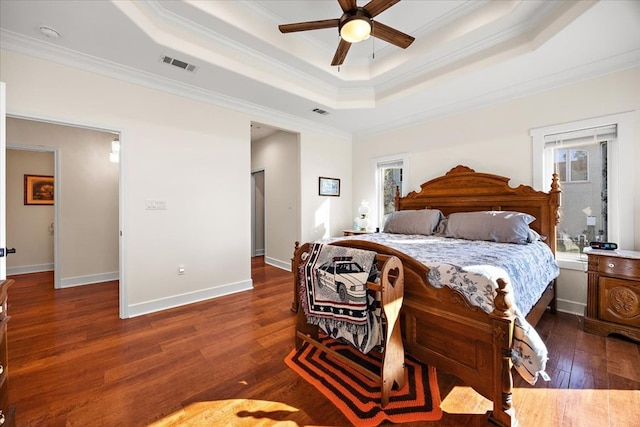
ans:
(613, 293)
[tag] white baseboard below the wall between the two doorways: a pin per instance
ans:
(188, 298)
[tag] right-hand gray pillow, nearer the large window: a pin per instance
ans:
(493, 226)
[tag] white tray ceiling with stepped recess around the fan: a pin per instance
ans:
(466, 54)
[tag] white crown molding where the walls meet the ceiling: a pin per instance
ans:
(53, 53)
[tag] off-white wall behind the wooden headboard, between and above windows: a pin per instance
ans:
(496, 140)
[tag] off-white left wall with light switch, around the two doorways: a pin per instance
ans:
(192, 155)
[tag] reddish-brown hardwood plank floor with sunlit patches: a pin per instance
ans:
(73, 362)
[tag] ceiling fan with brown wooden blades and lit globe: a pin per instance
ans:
(355, 25)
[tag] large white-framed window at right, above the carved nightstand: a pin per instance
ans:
(593, 161)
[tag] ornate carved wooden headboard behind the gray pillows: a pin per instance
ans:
(462, 189)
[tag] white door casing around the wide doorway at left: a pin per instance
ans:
(122, 294)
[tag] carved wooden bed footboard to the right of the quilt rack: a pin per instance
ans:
(441, 329)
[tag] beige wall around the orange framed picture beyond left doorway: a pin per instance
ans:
(28, 226)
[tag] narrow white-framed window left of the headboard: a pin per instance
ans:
(390, 174)
